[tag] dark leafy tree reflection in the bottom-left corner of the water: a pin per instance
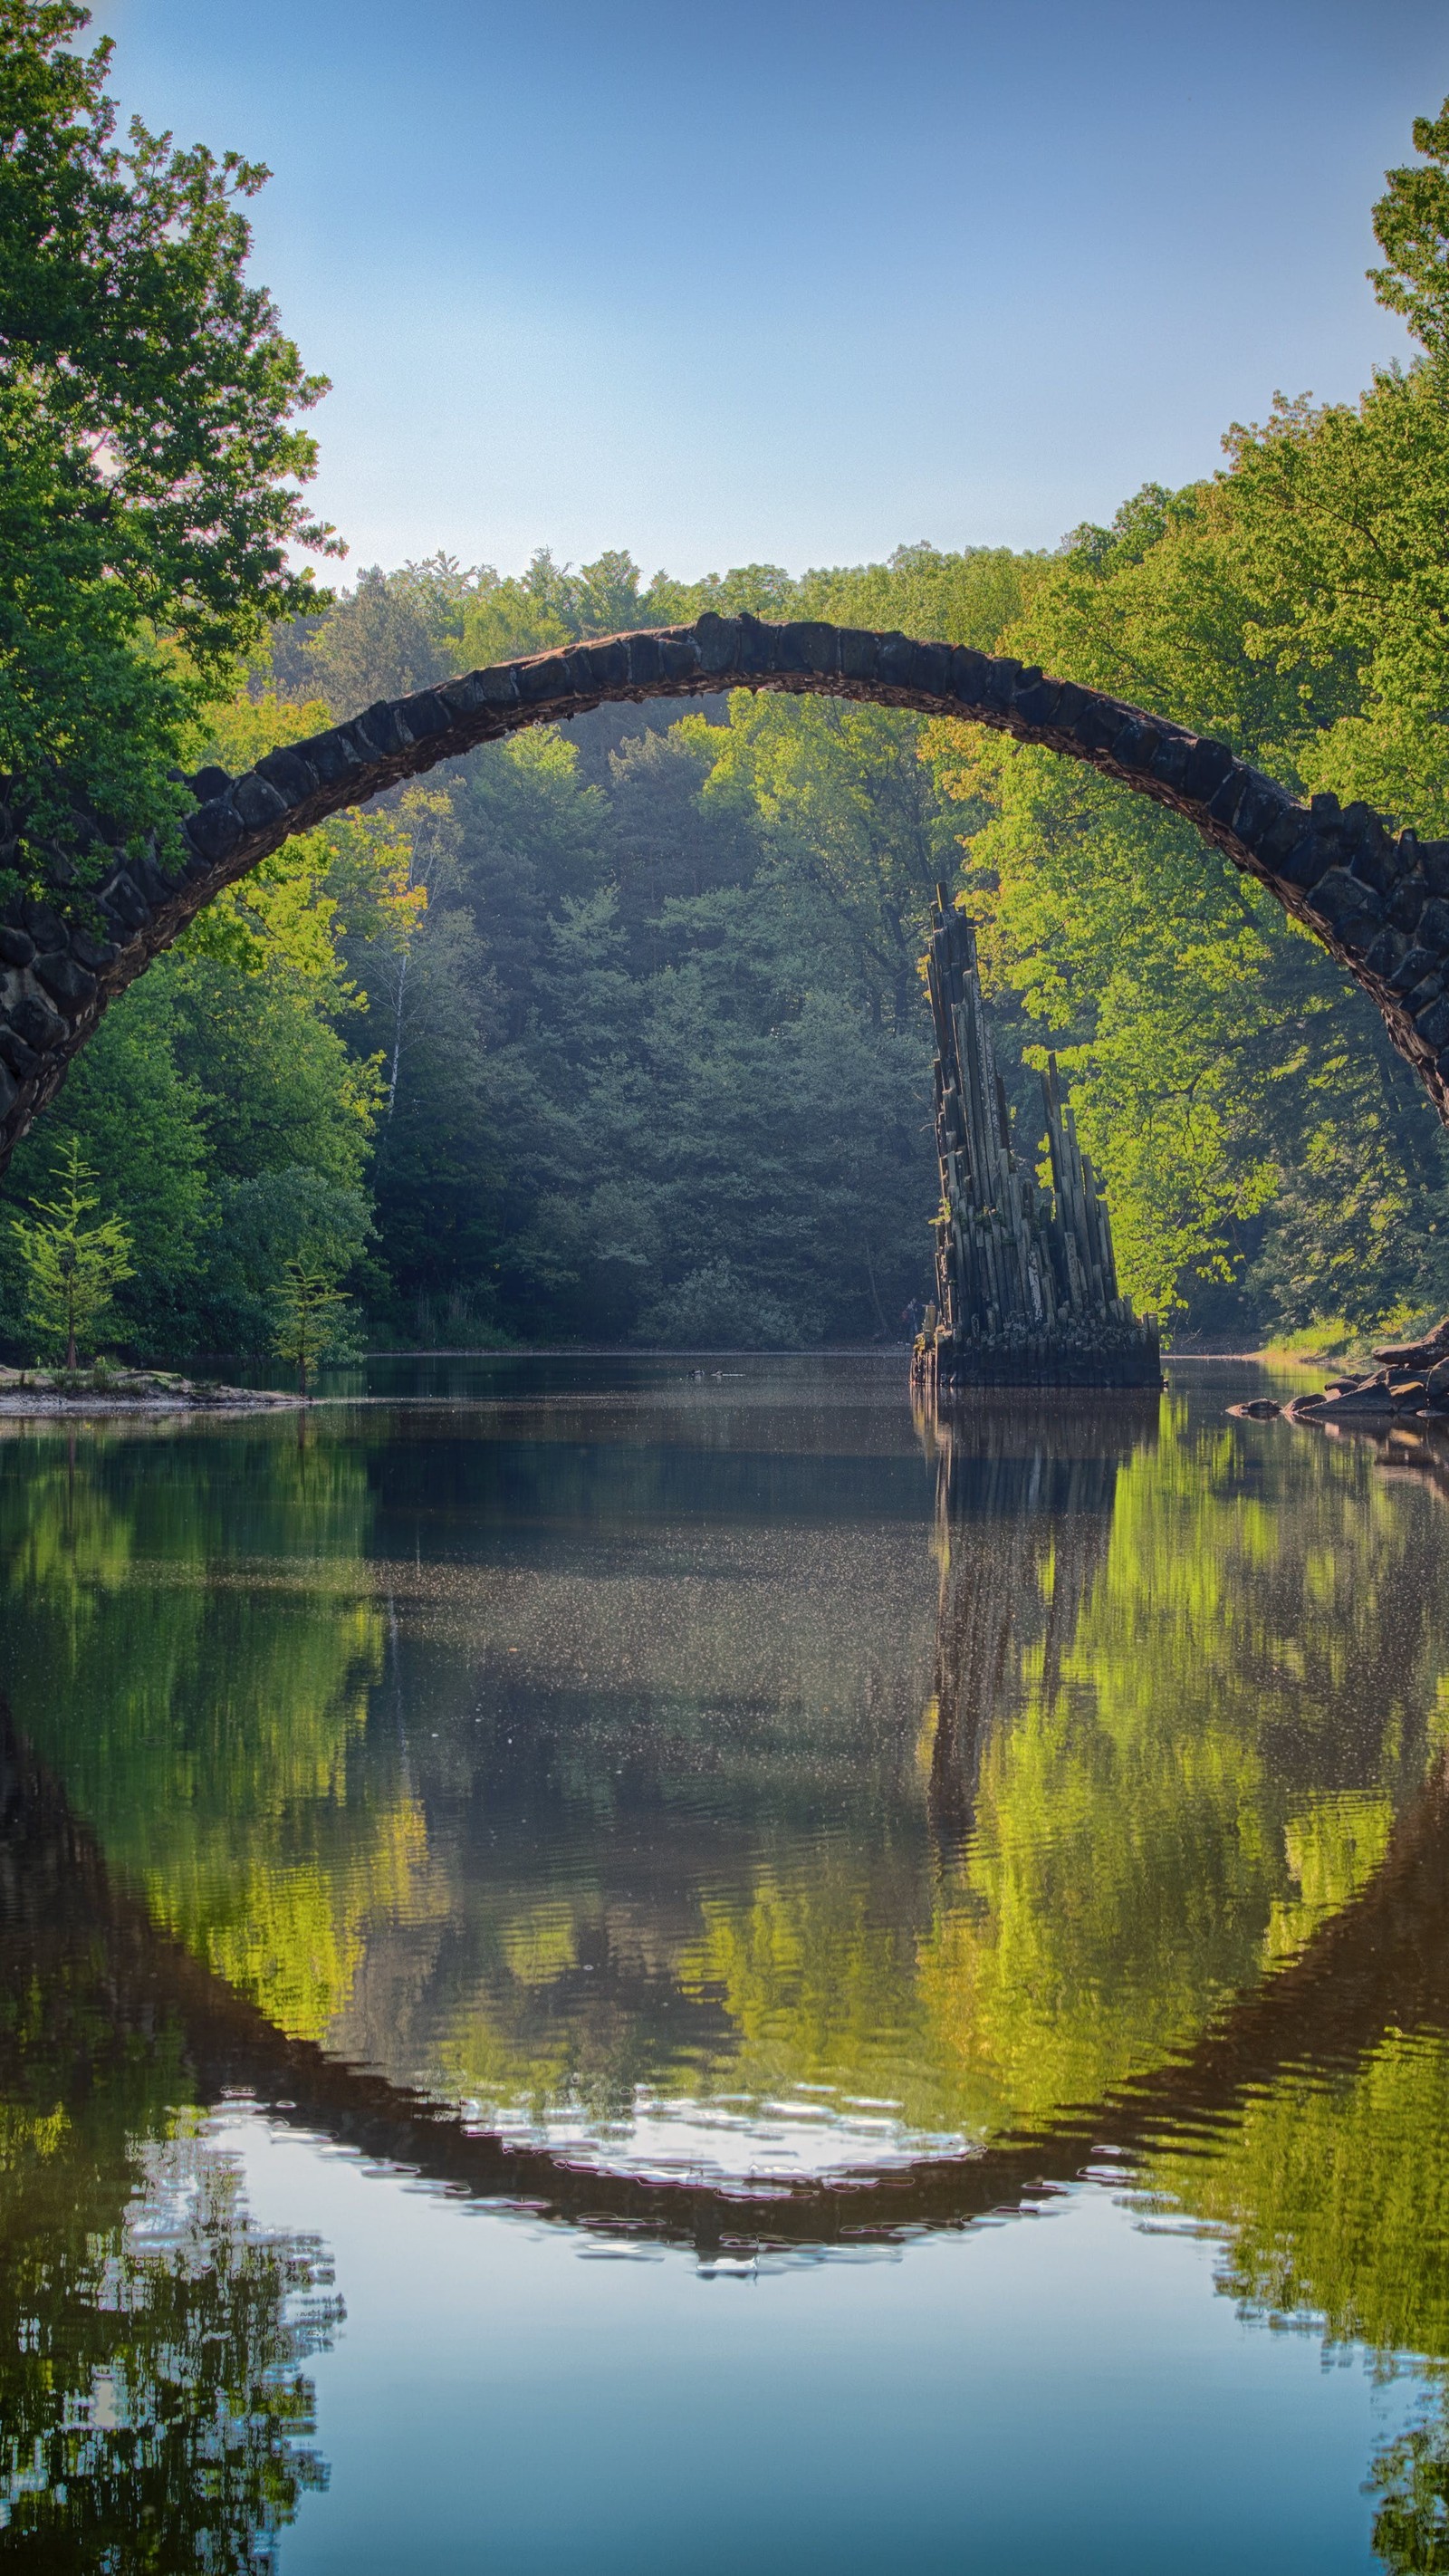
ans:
(153, 2338)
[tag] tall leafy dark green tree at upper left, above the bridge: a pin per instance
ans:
(148, 403)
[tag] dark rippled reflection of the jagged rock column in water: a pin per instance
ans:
(1026, 1501)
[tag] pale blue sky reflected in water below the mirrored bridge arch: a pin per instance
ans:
(1062, 2392)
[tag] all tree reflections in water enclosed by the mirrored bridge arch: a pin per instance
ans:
(691, 1835)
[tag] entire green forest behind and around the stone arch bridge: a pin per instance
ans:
(616, 1032)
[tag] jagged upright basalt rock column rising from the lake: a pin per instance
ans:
(1026, 1276)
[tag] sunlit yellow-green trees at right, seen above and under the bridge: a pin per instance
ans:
(1270, 1158)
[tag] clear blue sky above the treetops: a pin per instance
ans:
(794, 279)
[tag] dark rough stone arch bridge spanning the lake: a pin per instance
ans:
(1378, 903)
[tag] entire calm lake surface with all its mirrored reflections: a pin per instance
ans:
(609, 1969)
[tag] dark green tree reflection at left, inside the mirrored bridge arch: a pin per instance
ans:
(194, 1650)
